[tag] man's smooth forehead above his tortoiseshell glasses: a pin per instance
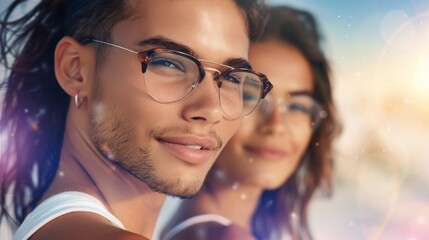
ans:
(213, 29)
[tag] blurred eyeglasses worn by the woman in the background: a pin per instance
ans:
(297, 111)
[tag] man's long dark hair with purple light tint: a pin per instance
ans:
(35, 107)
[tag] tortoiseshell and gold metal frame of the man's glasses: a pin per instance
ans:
(265, 87)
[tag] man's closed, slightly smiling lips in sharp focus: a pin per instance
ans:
(191, 149)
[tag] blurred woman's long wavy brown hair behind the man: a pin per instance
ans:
(284, 210)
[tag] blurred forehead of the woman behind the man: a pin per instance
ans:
(284, 65)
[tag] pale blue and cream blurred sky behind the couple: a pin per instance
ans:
(379, 50)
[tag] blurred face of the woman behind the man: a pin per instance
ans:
(269, 145)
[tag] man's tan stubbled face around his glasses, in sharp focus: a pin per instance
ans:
(159, 143)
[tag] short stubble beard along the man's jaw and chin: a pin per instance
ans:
(115, 132)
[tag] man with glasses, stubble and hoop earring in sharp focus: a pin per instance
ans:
(157, 88)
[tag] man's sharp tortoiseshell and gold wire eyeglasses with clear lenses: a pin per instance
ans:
(169, 76)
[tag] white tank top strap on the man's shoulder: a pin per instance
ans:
(58, 205)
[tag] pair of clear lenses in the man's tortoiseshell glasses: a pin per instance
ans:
(169, 77)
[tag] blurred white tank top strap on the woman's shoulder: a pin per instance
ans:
(195, 220)
